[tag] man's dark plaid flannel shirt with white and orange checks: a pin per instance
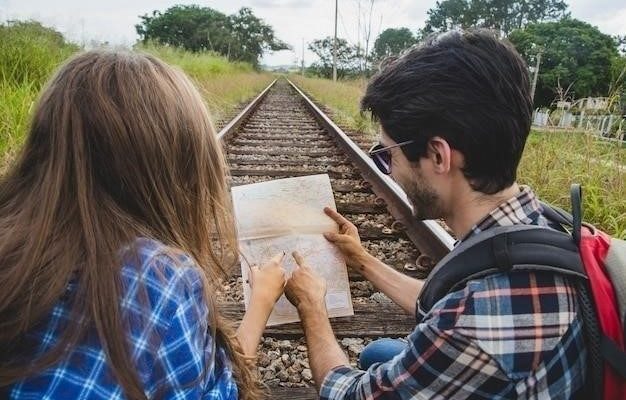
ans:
(510, 335)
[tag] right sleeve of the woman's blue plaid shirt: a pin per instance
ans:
(177, 355)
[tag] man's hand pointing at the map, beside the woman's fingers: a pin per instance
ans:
(305, 289)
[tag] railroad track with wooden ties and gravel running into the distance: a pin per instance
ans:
(283, 134)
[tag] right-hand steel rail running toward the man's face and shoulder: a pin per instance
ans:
(429, 237)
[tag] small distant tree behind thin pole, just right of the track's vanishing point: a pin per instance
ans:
(347, 61)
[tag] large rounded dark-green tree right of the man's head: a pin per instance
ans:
(574, 54)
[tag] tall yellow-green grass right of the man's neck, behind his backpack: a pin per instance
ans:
(554, 160)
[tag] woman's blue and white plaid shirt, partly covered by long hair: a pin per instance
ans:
(173, 351)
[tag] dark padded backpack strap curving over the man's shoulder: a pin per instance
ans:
(500, 249)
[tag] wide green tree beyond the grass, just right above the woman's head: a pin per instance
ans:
(241, 36)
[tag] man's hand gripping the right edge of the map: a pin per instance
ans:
(347, 240)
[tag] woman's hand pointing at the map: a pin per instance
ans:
(267, 283)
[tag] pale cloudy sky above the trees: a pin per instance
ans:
(294, 21)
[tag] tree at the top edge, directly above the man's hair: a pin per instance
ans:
(501, 15)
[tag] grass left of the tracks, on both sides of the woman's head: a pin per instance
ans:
(30, 53)
